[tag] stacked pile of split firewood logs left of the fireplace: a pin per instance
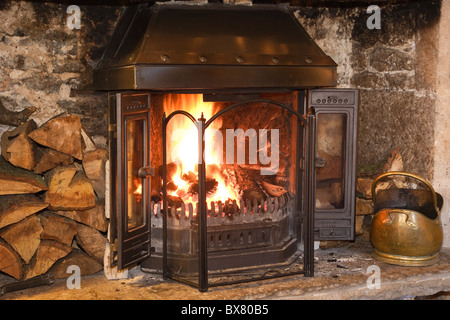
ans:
(52, 200)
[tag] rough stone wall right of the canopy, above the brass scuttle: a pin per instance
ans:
(394, 68)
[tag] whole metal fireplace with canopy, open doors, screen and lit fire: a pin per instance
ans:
(230, 151)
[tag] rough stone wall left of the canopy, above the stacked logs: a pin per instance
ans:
(45, 64)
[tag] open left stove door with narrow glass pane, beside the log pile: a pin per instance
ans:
(133, 180)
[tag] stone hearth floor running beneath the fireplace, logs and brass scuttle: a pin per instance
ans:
(344, 272)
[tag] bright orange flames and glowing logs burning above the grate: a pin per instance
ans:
(227, 151)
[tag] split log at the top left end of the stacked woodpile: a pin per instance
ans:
(17, 148)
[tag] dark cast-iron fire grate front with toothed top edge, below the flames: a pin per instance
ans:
(247, 231)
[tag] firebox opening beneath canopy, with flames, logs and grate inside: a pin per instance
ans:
(249, 182)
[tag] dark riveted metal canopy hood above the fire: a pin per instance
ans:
(211, 47)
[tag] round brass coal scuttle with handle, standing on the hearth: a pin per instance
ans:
(406, 227)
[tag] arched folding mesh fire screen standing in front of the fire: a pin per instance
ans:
(228, 206)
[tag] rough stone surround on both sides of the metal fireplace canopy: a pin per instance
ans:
(401, 71)
